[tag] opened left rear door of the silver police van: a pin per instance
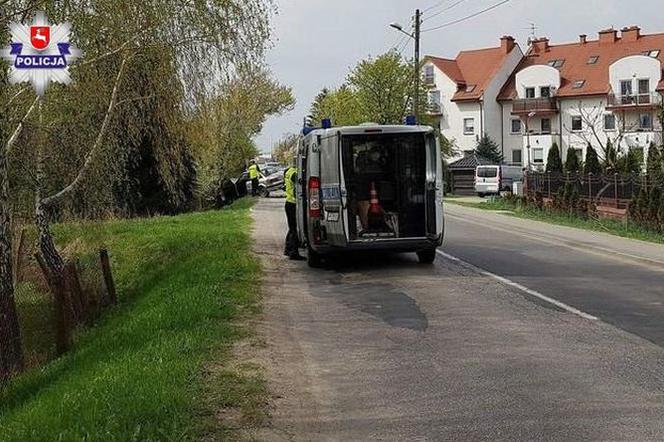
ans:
(333, 191)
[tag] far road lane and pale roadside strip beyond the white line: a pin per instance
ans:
(619, 281)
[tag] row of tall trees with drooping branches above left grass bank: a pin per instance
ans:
(163, 108)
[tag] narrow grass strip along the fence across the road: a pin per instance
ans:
(611, 226)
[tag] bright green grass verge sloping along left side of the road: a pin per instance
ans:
(142, 373)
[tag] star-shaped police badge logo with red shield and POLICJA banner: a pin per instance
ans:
(40, 53)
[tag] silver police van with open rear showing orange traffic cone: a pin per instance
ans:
(370, 187)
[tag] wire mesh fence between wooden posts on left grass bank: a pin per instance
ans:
(50, 308)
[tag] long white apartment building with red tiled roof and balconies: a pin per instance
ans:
(589, 91)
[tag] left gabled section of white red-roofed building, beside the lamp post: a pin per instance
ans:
(464, 90)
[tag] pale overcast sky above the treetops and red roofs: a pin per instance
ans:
(318, 41)
